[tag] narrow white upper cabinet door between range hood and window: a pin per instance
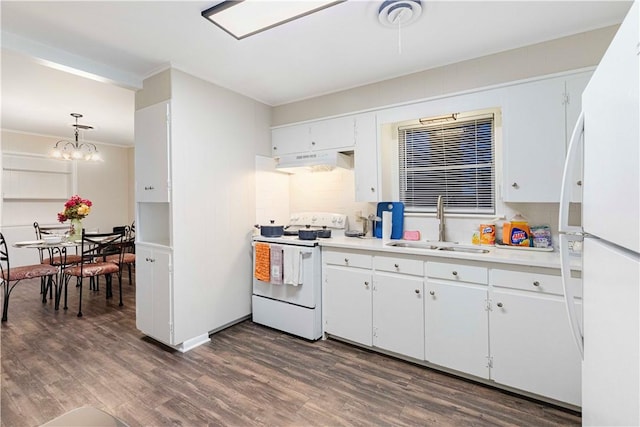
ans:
(366, 166)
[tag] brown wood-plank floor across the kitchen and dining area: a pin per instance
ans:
(249, 375)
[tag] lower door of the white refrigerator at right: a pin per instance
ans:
(611, 317)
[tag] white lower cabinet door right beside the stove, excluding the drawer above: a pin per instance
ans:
(347, 304)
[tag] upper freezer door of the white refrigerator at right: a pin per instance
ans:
(611, 195)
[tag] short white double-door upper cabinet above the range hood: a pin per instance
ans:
(320, 135)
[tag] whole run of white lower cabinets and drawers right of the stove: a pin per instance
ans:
(506, 324)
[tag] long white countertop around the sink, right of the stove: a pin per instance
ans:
(496, 254)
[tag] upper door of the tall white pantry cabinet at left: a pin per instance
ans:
(152, 153)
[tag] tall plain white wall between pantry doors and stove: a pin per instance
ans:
(215, 136)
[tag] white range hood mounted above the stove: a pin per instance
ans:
(314, 161)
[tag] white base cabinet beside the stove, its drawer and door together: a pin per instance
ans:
(347, 296)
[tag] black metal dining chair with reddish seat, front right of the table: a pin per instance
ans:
(95, 248)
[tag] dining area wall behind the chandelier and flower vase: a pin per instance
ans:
(107, 184)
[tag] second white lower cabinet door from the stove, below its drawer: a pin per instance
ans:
(398, 314)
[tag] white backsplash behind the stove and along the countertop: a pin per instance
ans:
(333, 191)
